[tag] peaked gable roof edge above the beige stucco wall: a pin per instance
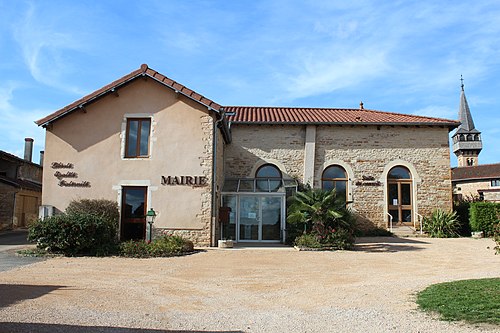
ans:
(144, 70)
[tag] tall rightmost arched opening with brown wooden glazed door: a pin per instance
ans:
(399, 182)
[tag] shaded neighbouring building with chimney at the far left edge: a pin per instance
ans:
(20, 188)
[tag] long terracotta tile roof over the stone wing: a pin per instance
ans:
(288, 115)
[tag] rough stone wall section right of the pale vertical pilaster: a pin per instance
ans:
(369, 151)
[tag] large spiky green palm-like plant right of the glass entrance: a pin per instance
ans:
(317, 209)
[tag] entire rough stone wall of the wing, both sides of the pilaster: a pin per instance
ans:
(369, 151)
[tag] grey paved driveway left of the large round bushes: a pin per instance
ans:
(10, 243)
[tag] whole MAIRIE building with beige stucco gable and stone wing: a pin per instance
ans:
(213, 171)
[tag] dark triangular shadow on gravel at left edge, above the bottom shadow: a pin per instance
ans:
(13, 293)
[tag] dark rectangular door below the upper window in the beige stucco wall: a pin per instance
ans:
(133, 222)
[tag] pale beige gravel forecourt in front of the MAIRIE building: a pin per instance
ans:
(371, 289)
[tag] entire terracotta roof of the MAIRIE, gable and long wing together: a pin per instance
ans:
(259, 115)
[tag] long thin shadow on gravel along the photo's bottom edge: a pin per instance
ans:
(55, 328)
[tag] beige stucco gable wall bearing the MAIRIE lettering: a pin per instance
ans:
(180, 145)
